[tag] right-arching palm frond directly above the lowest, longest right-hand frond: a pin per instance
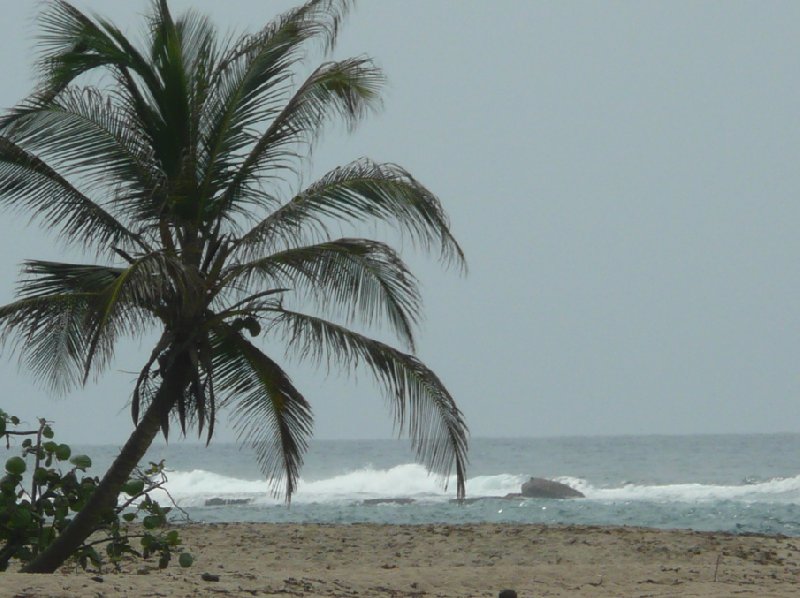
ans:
(363, 280)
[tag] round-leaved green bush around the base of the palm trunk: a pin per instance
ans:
(46, 484)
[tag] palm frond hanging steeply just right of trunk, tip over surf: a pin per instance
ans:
(269, 413)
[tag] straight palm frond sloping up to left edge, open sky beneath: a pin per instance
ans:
(28, 183)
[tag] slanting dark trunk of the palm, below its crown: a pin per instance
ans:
(104, 498)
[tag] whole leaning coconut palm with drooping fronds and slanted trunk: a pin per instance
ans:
(173, 161)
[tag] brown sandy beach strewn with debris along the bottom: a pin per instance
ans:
(368, 560)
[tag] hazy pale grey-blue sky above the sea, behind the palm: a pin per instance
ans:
(623, 177)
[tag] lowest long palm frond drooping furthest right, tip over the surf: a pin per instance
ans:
(418, 398)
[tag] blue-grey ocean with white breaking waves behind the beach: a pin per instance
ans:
(734, 483)
